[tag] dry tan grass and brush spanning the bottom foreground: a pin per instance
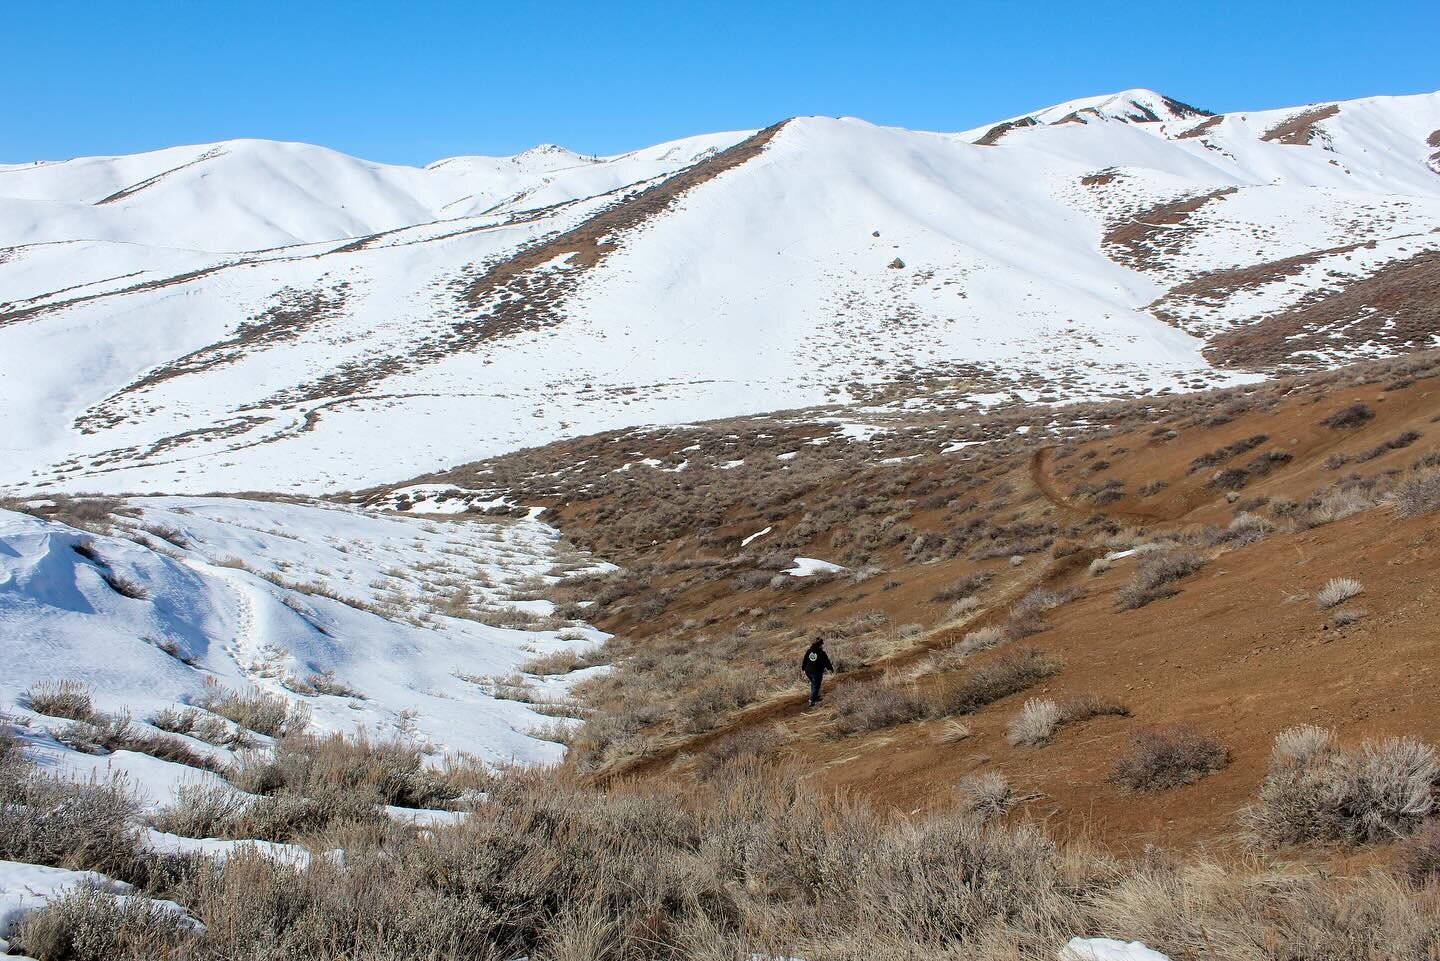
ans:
(748, 862)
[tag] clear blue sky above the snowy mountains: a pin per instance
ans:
(411, 83)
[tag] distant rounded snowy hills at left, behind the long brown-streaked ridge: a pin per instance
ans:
(246, 195)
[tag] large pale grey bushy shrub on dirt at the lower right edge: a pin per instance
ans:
(1320, 793)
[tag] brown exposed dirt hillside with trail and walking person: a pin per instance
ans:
(1239, 652)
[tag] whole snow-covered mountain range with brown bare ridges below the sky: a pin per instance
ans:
(279, 316)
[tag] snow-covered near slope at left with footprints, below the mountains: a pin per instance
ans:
(264, 597)
